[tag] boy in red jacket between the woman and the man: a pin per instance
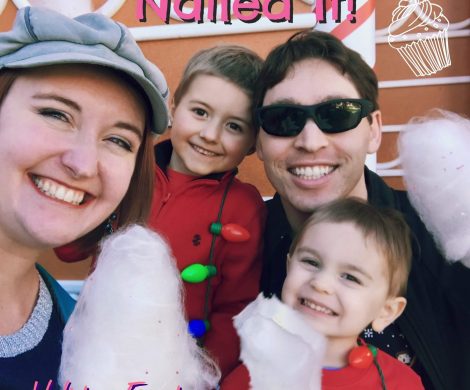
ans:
(195, 187)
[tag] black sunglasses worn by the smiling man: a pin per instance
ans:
(332, 116)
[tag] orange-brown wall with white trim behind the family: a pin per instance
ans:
(398, 104)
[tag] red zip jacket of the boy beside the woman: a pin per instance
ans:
(184, 217)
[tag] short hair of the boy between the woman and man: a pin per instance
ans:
(236, 64)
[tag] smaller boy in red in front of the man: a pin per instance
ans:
(348, 268)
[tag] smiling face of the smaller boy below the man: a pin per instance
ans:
(339, 280)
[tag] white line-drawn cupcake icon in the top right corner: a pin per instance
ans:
(423, 43)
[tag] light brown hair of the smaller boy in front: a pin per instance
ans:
(386, 227)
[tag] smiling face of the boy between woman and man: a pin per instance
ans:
(212, 130)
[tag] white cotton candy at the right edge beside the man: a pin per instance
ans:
(435, 155)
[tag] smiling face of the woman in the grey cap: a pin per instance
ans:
(69, 138)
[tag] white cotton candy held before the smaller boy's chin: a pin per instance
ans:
(279, 348)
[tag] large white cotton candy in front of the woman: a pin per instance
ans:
(128, 325)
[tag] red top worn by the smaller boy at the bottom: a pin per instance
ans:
(398, 376)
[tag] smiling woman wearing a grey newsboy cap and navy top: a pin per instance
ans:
(78, 101)
